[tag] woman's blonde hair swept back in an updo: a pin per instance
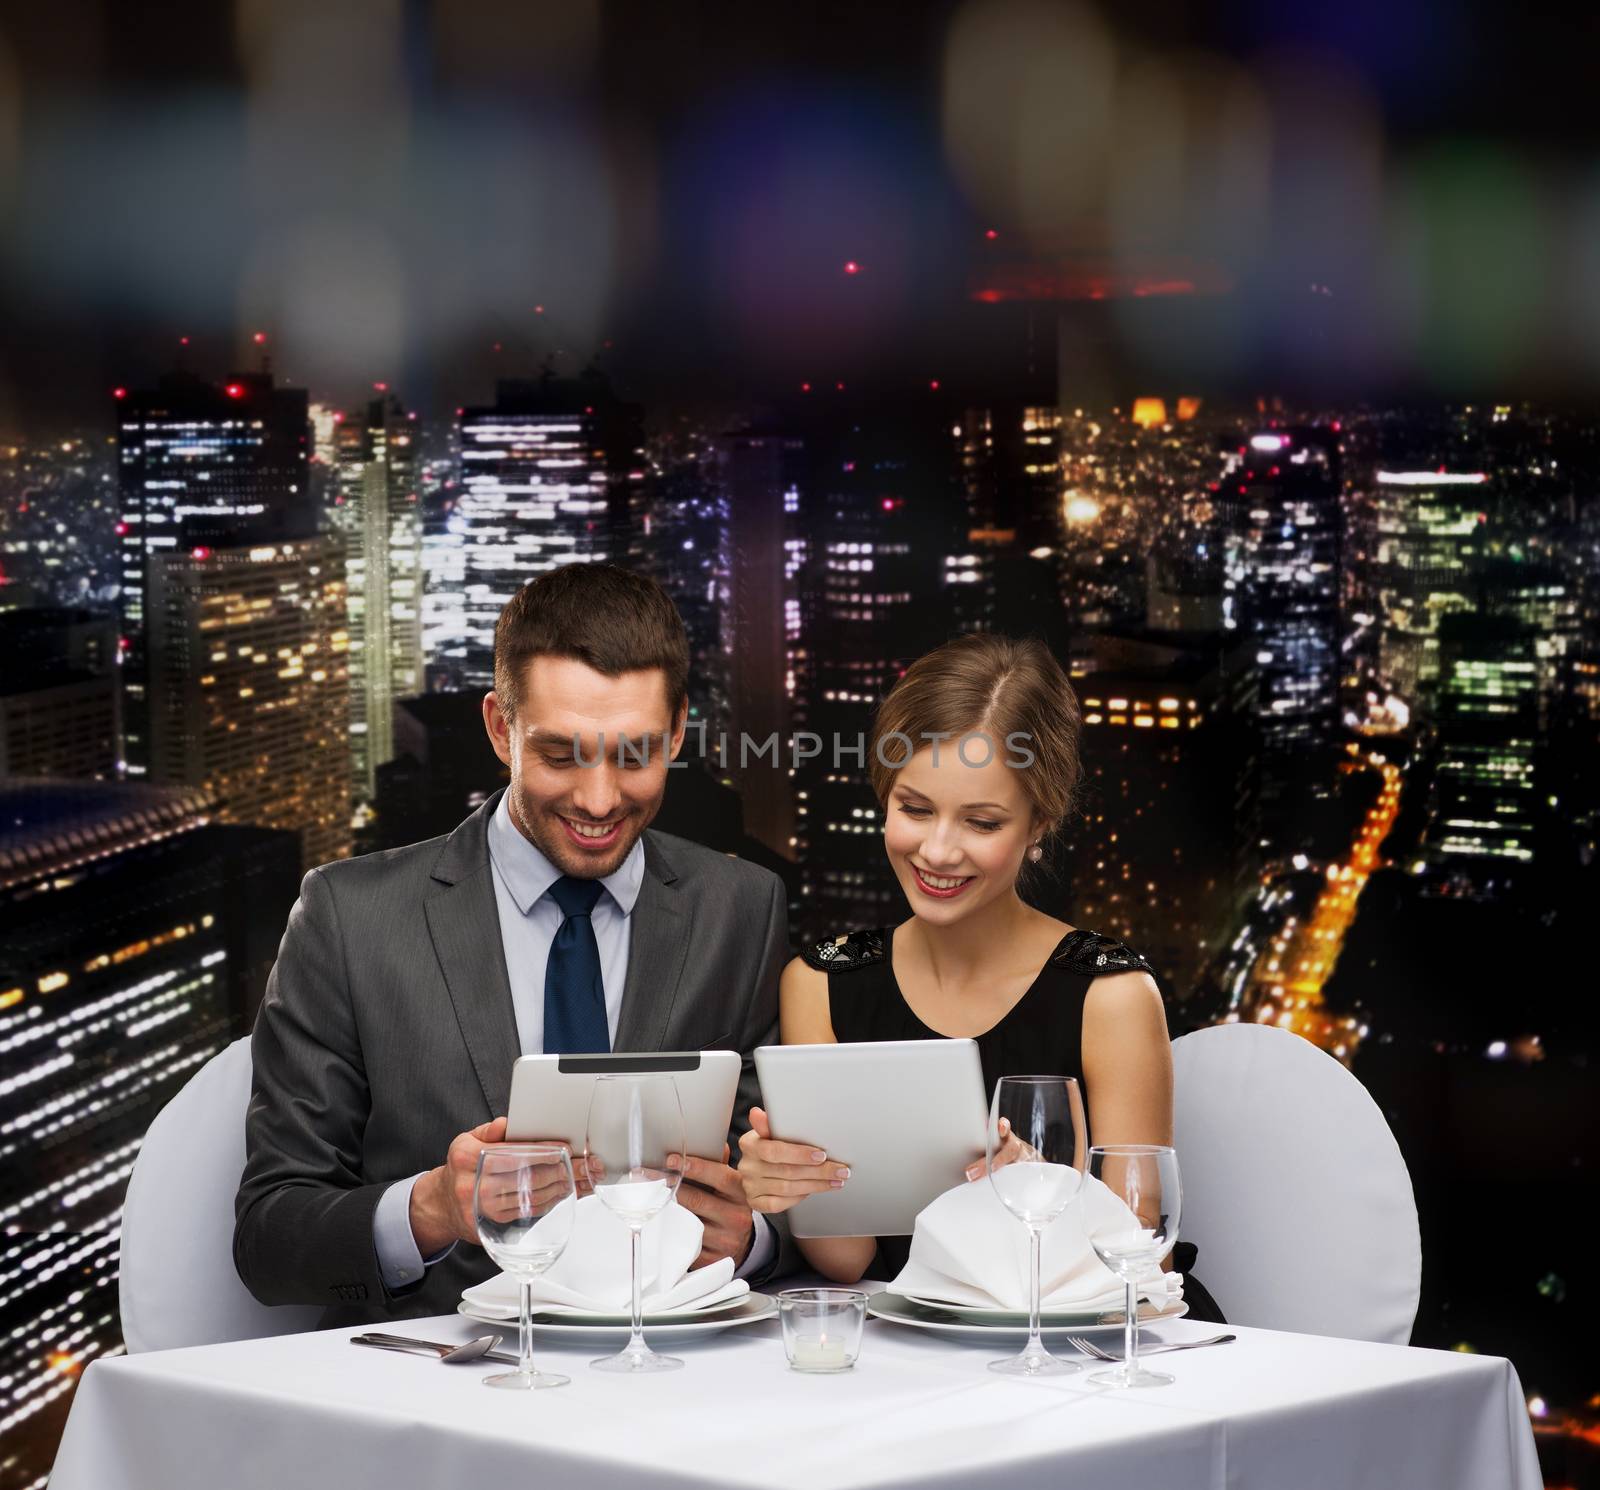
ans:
(998, 686)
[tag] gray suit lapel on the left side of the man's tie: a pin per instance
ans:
(465, 926)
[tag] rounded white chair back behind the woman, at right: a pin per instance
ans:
(1295, 1190)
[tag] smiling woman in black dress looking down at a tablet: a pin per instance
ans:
(975, 761)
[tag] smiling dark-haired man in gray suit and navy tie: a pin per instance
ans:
(551, 921)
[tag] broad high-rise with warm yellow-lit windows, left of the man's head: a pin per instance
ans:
(250, 686)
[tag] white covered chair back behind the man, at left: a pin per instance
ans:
(178, 1283)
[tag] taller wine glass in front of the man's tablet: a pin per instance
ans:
(636, 1123)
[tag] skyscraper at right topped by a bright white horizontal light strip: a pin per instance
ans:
(1428, 539)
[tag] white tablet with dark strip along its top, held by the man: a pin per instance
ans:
(550, 1094)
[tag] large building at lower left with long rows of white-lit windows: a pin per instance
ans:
(135, 940)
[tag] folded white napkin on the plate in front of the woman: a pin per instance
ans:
(969, 1249)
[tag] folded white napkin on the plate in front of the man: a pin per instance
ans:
(593, 1273)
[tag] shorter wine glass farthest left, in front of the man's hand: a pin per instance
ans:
(522, 1203)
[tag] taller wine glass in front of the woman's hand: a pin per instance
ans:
(1036, 1145)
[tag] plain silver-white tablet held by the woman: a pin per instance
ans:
(906, 1116)
